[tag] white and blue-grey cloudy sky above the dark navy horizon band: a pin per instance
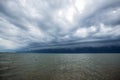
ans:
(38, 24)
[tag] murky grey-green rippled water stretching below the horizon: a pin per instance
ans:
(59, 66)
